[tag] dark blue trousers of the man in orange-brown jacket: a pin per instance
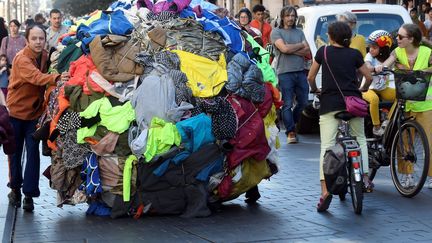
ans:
(30, 183)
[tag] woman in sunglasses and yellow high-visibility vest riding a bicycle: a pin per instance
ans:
(410, 55)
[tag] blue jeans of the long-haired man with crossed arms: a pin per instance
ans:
(293, 85)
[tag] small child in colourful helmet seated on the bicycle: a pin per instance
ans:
(380, 43)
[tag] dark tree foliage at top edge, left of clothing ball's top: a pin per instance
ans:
(80, 7)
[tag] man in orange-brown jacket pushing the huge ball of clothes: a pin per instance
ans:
(25, 101)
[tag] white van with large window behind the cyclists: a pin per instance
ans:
(314, 20)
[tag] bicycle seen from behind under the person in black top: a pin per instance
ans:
(353, 160)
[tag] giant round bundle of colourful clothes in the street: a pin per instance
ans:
(170, 106)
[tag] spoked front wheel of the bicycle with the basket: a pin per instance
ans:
(409, 159)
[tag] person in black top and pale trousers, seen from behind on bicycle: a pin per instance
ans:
(343, 63)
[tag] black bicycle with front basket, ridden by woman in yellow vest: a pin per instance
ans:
(404, 145)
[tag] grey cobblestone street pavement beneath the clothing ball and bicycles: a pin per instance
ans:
(286, 213)
